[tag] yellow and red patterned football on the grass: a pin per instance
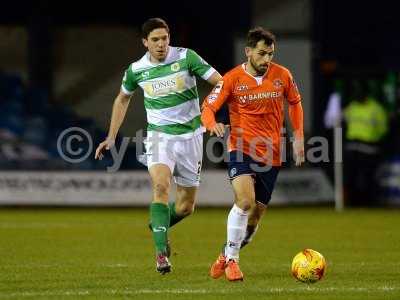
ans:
(308, 266)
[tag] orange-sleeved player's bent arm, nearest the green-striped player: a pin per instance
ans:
(212, 103)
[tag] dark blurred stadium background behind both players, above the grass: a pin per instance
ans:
(61, 66)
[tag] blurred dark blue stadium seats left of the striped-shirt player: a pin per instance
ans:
(30, 126)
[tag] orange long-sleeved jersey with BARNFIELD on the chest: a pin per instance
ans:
(256, 110)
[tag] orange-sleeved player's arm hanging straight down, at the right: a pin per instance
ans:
(296, 119)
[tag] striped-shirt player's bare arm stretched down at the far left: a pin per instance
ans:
(119, 109)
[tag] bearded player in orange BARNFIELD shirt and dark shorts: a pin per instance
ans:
(256, 92)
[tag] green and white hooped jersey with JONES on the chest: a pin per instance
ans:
(170, 92)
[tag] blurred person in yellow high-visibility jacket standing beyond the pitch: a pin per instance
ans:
(367, 125)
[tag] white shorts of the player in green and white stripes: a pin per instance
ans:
(183, 157)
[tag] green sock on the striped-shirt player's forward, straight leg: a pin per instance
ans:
(159, 217)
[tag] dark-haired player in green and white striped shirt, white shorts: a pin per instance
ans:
(174, 142)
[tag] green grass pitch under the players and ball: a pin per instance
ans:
(108, 254)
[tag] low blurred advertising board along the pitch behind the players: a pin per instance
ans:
(134, 188)
